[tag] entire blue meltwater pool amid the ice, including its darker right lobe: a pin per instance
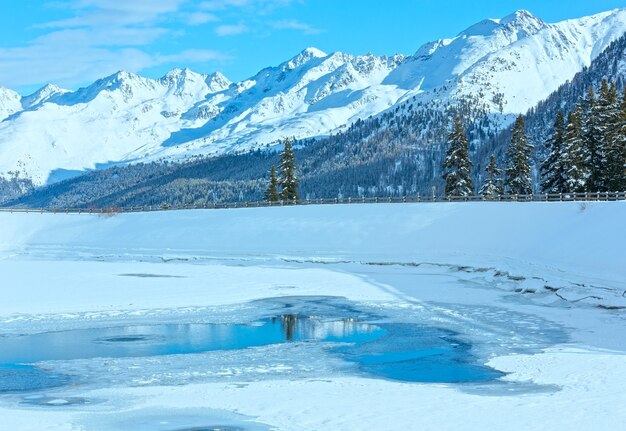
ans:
(404, 352)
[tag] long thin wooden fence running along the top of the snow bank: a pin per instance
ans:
(560, 197)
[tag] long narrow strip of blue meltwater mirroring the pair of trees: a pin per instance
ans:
(157, 340)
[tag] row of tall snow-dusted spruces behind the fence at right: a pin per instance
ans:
(587, 152)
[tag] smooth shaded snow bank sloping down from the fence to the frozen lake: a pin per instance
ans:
(578, 238)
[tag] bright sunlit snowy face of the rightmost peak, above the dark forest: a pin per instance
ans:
(532, 68)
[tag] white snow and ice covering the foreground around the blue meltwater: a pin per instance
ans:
(486, 270)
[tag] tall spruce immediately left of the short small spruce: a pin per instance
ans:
(457, 164)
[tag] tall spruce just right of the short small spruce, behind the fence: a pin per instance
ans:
(518, 171)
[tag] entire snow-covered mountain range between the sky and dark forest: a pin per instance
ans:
(510, 64)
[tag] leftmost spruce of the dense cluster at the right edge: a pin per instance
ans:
(553, 170)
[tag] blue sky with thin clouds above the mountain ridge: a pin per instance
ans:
(73, 42)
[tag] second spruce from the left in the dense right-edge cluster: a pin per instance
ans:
(575, 154)
